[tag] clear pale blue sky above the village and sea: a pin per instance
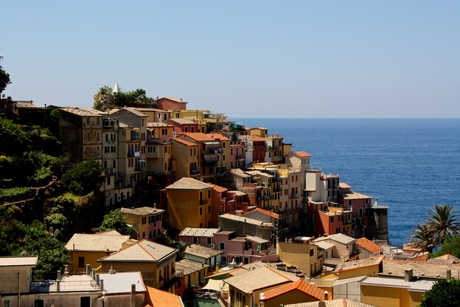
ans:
(313, 59)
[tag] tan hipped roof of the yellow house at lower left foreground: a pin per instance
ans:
(143, 251)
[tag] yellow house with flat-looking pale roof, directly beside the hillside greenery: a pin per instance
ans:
(88, 248)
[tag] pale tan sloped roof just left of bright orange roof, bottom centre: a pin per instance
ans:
(256, 279)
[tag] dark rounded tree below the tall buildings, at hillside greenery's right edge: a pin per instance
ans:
(83, 178)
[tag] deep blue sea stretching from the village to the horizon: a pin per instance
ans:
(408, 164)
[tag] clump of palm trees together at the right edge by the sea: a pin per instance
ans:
(440, 225)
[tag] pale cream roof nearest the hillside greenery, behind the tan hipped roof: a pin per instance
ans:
(97, 242)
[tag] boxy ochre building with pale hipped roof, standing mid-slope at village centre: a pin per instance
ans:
(189, 204)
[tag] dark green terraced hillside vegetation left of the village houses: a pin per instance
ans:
(43, 198)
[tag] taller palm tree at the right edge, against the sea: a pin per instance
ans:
(442, 223)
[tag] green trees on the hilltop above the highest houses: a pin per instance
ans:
(105, 99)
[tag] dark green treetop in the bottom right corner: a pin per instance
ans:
(444, 293)
